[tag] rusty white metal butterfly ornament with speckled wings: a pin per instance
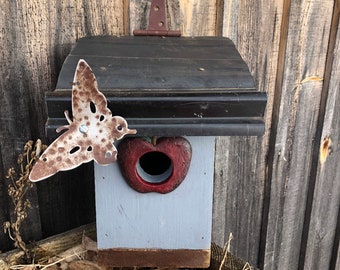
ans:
(90, 134)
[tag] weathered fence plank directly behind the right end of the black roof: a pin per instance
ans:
(239, 193)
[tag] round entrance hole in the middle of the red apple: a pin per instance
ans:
(154, 167)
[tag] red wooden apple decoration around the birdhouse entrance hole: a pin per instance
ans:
(154, 166)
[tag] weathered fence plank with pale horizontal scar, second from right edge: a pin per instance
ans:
(296, 127)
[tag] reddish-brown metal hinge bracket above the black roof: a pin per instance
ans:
(157, 22)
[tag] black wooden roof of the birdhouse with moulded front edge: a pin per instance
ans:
(167, 86)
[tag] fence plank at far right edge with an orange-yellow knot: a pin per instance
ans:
(326, 197)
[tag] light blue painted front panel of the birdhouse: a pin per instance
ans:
(177, 220)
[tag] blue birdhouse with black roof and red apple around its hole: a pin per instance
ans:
(154, 206)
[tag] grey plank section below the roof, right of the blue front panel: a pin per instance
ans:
(238, 196)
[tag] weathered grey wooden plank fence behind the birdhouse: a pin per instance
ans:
(278, 195)
